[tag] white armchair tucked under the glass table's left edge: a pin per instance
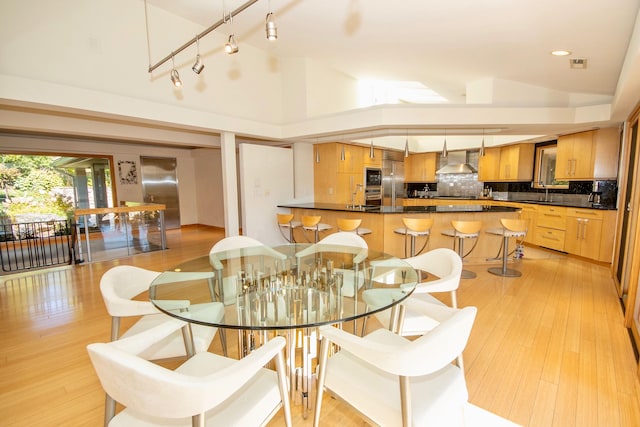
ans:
(120, 284)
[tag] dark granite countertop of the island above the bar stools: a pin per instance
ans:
(400, 209)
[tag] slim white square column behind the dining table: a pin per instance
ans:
(229, 184)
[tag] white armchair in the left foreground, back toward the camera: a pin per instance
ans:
(207, 389)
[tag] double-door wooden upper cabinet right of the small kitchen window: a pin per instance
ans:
(588, 155)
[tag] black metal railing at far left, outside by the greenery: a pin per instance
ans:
(29, 245)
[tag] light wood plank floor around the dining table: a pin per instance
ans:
(547, 349)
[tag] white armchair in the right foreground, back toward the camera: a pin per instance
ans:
(393, 381)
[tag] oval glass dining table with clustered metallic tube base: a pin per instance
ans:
(286, 290)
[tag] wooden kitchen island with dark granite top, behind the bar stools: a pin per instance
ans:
(383, 220)
